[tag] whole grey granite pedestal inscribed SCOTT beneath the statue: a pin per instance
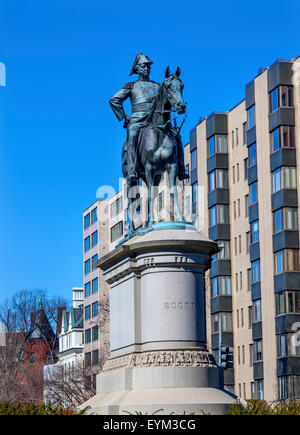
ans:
(158, 353)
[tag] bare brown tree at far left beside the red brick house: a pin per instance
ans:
(15, 366)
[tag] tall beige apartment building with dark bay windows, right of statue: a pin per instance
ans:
(244, 194)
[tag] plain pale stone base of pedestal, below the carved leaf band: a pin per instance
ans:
(160, 390)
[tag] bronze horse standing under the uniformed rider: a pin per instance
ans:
(157, 147)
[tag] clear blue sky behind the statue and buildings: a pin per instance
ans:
(59, 139)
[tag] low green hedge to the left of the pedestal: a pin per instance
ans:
(35, 408)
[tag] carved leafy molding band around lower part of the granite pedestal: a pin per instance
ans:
(193, 357)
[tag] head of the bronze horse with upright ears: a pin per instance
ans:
(174, 87)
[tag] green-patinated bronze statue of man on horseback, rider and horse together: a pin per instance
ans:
(153, 144)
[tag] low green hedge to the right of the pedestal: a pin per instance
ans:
(261, 407)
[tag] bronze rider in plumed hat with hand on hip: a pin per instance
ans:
(142, 94)
